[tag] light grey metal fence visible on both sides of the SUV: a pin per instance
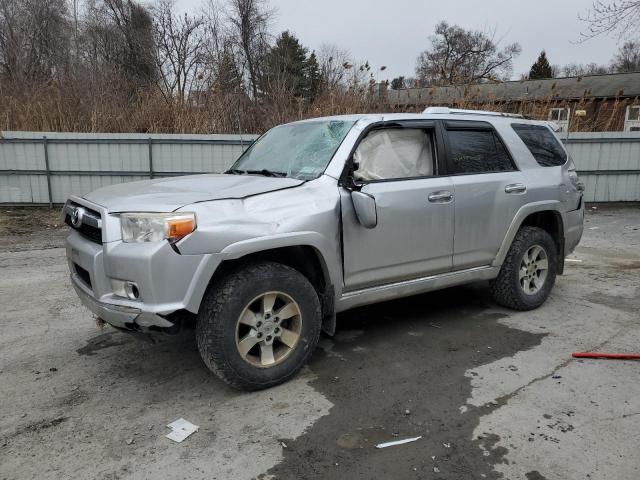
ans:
(45, 168)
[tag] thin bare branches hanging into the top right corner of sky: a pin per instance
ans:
(614, 17)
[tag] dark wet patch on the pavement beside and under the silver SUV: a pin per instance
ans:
(397, 370)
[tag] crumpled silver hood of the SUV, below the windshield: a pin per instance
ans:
(168, 194)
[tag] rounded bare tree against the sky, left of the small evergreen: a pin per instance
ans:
(459, 56)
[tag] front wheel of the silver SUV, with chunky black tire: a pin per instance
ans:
(258, 326)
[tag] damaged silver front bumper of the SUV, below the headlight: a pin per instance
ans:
(166, 281)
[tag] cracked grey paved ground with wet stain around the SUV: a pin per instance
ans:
(493, 393)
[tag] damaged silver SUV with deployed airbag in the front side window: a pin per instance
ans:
(321, 216)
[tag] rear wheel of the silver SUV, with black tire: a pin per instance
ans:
(528, 272)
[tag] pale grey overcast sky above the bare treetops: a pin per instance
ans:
(393, 33)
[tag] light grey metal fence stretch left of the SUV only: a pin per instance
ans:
(45, 168)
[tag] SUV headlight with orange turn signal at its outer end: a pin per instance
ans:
(154, 227)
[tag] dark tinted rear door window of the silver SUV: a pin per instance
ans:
(477, 151)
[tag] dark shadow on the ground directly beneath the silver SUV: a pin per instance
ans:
(177, 355)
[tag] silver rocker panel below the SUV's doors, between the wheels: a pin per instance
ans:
(391, 291)
